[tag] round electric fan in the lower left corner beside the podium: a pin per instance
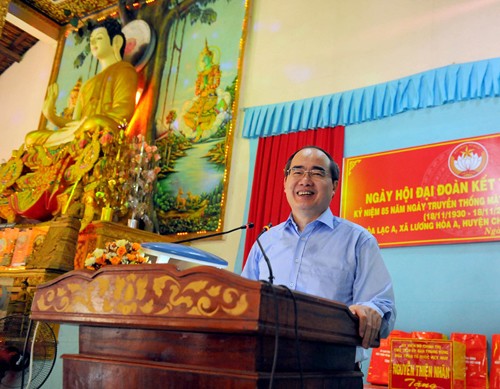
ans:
(27, 352)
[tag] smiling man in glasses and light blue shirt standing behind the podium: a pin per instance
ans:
(318, 253)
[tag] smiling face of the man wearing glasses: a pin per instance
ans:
(309, 196)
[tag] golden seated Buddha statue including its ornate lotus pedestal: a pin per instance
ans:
(55, 160)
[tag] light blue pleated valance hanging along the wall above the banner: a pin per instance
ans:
(453, 83)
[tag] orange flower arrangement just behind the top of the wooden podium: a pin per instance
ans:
(121, 252)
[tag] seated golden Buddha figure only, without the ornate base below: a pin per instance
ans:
(104, 100)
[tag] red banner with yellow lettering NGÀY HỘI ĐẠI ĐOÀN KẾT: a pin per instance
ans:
(441, 193)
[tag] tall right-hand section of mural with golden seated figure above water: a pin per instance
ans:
(194, 116)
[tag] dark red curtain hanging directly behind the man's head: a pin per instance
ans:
(268, 202)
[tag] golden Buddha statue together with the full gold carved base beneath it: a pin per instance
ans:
(53, 170)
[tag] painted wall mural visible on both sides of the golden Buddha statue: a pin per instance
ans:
(188, 55)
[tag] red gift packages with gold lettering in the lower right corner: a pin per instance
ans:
(431, 360)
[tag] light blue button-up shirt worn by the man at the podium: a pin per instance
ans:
(332, 258)
